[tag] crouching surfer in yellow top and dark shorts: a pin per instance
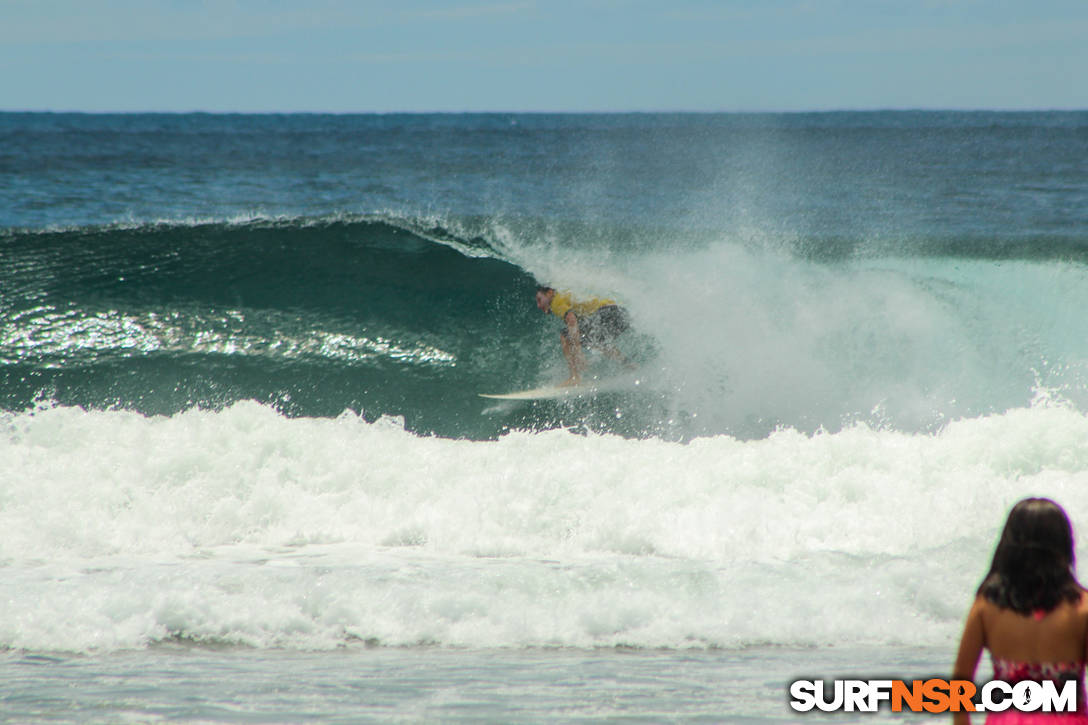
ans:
(594, 324)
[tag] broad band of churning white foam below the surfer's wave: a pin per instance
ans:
(243, 526)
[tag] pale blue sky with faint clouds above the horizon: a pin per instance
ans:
(542, 56)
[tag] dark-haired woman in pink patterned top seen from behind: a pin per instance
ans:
(1030, 612)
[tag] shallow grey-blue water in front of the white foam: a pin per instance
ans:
(356, 684)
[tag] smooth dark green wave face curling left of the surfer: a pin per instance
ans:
(316, 317)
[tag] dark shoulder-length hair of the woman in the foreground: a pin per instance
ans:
(1033, 564)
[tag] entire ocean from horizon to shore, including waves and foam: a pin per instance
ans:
(246, 475)
